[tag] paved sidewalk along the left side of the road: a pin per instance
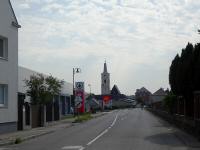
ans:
(10, 138)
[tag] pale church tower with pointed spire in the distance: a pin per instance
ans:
(105, 81)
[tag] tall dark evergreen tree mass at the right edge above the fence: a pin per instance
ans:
(184, 75)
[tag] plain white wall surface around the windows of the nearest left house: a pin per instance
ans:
(9, 68)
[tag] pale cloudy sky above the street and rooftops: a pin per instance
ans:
(137, 38)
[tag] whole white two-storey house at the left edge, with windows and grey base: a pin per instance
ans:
(8, 67)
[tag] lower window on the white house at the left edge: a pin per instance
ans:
(3, 95)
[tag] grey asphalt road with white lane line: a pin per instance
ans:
(128, 129)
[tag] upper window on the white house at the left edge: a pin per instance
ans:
(3, 48)
